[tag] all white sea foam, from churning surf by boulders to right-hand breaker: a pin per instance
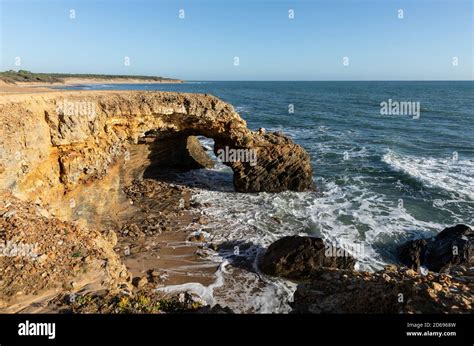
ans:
(350, 214)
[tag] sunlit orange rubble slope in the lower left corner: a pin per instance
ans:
(41, 254)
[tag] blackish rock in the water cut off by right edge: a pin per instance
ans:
(453, 245)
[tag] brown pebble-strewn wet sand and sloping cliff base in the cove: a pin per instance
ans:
(159, 245)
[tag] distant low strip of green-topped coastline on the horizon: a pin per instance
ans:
(27, 76)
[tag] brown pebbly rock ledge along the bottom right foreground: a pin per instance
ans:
(391, 290)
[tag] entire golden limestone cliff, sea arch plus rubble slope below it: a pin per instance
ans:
(54, 144)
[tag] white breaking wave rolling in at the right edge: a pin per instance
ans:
(453, 175)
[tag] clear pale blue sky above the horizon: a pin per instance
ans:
(242, 39)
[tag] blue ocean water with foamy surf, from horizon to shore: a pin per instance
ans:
(381, 179)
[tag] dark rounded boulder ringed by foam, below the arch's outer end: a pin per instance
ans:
(297, 257)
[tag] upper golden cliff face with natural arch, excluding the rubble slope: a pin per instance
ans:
(53, 142)
